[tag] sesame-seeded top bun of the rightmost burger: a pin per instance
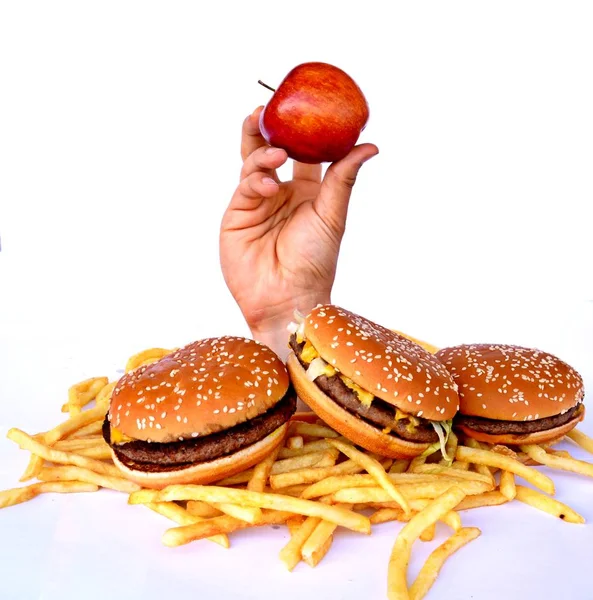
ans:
(511, 383)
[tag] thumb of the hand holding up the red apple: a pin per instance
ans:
(332, 201)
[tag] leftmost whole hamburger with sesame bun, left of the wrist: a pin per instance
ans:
(204, 412)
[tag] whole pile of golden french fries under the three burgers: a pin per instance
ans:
(315, 483)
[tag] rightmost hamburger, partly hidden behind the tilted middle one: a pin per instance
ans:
(513, 395)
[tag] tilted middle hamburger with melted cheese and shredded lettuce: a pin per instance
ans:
(377, 388)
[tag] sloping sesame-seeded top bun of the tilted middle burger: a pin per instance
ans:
(392, 367)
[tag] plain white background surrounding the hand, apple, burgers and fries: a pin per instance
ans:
(119, 134)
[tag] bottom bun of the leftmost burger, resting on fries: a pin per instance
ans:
(207, 472)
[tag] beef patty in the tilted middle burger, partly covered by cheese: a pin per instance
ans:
(379, 414)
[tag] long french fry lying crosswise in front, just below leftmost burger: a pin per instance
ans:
(210, 494)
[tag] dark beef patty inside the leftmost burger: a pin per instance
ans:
(170, 456)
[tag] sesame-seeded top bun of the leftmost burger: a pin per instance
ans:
(202, 388)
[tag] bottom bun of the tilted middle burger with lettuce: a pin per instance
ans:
(350, 426)
